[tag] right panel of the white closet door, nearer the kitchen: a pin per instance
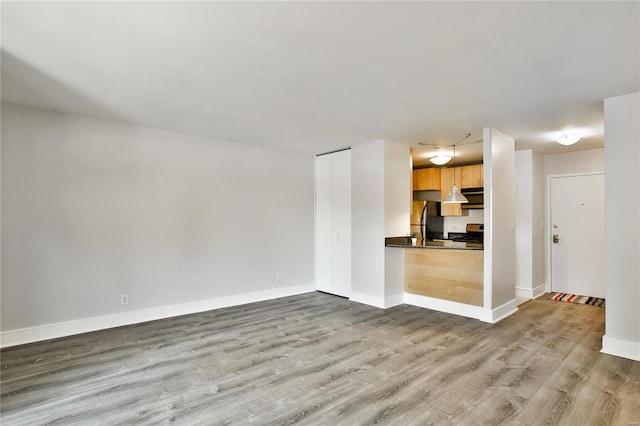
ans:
(342, 223)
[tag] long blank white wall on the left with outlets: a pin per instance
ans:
(93, 209)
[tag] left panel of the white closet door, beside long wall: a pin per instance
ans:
(324, 223)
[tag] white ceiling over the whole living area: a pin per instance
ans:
(319, 76)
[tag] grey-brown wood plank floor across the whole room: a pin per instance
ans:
(316, 359)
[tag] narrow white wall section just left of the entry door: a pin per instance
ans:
(530, 272)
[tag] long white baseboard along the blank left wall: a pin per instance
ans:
(85, 325)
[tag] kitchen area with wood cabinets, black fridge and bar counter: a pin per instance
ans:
(455, 273)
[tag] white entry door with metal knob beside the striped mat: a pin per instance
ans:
(577, 235)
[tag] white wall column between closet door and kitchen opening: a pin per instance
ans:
(380, 207)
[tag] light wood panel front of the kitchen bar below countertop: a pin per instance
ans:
(455, 275)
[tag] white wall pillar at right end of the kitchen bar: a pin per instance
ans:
(499, 264)
